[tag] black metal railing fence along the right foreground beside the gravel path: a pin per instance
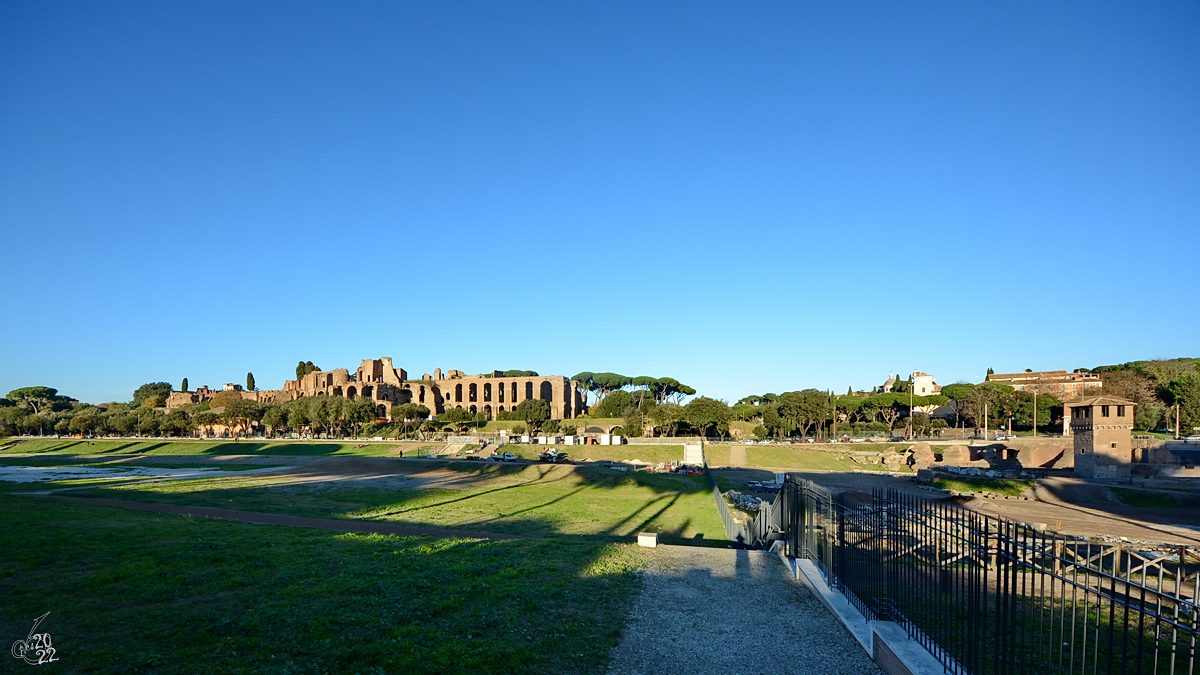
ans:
(991, 596)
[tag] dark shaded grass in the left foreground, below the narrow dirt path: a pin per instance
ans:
(137, 593)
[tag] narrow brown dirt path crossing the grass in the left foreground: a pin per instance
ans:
(291, 521)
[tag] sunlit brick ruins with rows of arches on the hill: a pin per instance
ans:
(386, 386)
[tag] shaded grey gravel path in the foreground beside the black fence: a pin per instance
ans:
(724, 611)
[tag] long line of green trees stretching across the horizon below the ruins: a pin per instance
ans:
(646, 405)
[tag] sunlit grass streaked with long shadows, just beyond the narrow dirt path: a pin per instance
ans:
(538, 501)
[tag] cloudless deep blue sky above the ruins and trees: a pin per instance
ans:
(747, 199)
